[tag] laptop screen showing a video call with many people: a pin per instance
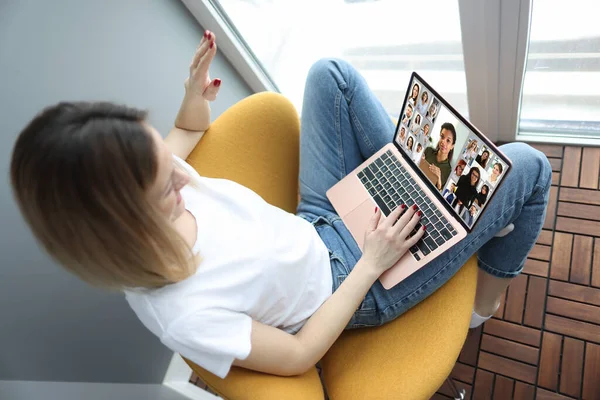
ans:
(449, 151)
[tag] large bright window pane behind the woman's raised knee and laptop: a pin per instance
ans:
(385, 40)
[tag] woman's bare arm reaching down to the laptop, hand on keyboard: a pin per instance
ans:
(276, 352)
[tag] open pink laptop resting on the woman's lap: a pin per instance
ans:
(439, 161)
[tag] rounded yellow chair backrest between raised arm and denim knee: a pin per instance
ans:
(256, 144)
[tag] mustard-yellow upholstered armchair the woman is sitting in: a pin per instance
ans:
(256, 143)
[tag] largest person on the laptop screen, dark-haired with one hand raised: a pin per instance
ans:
(439, 158)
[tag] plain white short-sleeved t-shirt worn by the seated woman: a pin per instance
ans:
(258, 263)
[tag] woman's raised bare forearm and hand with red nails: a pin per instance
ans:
(193, 117)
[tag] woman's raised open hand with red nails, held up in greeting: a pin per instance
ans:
(199, 81)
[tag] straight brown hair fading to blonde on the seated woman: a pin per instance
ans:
(80, 174)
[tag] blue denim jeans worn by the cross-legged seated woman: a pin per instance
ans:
(343, 124)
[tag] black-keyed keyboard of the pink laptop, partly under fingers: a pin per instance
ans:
(390, 185)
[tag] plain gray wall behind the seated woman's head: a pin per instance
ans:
(53, 327)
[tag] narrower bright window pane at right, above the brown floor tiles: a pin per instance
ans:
(561, 90)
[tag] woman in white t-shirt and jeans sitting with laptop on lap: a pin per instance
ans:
(215, 272)
